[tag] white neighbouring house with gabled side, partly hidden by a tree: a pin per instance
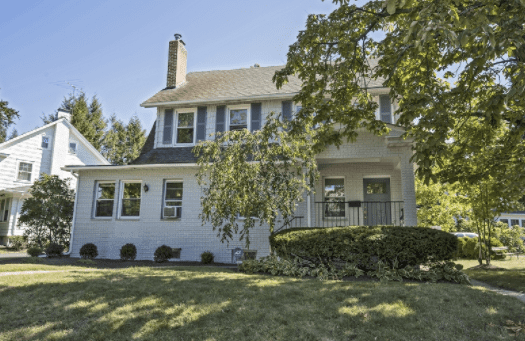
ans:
(43, 150)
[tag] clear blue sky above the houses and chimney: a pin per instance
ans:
(118, 50)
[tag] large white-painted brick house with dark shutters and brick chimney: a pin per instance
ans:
(155, 200)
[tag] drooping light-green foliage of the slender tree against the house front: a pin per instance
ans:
(250, 174)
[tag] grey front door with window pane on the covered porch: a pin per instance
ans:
(376, 206)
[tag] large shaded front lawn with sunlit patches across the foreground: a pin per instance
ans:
(197, 303)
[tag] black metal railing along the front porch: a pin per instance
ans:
(358, 213)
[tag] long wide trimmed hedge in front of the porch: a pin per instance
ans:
(366, 245)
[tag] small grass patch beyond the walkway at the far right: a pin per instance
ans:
(512, 277)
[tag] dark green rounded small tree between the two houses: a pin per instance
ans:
(48, 213)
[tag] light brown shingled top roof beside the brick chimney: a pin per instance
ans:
(236, 84)
